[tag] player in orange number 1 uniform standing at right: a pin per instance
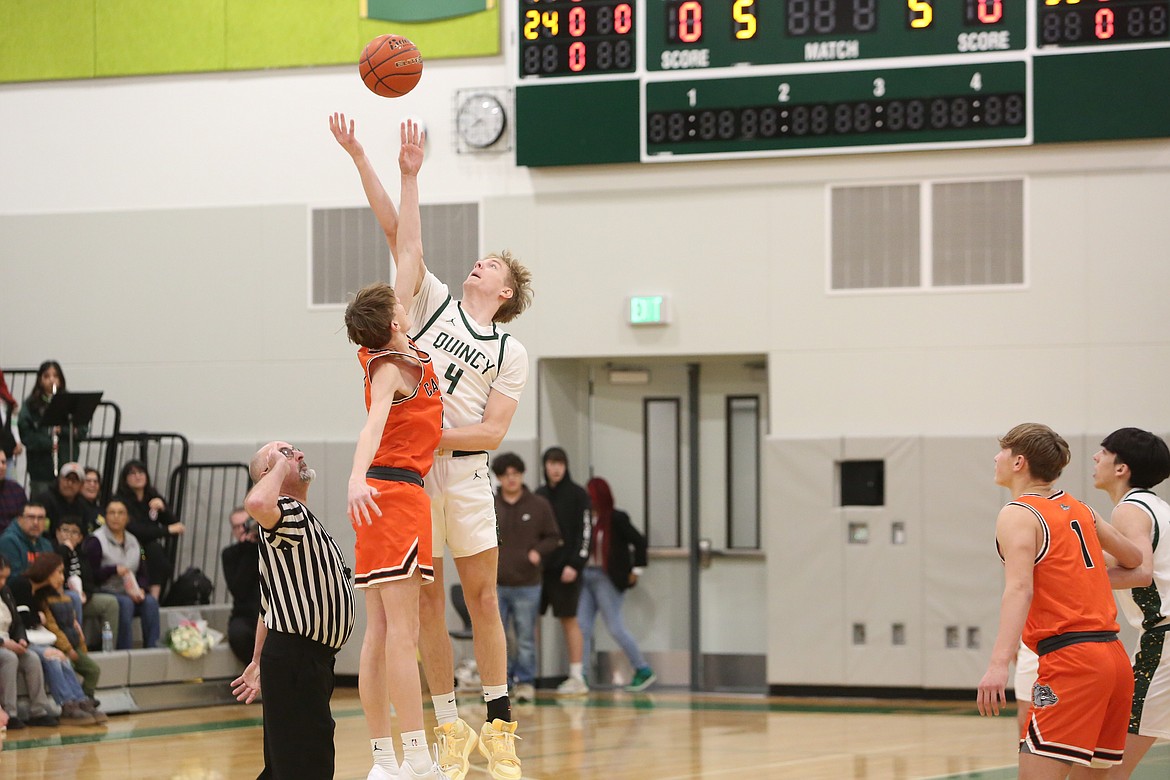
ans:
(1057, 595)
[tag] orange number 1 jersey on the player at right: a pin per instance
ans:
(1071, 588)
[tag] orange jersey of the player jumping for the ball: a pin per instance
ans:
(415, 423)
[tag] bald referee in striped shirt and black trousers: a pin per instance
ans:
(306, 617)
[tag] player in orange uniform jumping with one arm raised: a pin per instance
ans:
(388, 506)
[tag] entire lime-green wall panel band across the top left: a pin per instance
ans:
(43, 40)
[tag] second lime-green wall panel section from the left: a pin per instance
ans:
(136, 38)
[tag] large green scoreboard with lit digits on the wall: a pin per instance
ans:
(653, 81)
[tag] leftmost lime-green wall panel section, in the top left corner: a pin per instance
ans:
(44, 40)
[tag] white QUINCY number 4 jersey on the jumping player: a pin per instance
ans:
(471, 360)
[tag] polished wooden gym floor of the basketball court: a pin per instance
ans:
(662, 736)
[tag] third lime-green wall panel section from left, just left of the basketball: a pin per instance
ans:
(293, 33)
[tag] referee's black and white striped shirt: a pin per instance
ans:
(305, 586)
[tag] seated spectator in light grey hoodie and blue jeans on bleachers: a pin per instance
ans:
(116, 560)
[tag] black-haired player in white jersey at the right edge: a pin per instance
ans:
(1131, 463)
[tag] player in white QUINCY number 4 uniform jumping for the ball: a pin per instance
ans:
(481, 372)
